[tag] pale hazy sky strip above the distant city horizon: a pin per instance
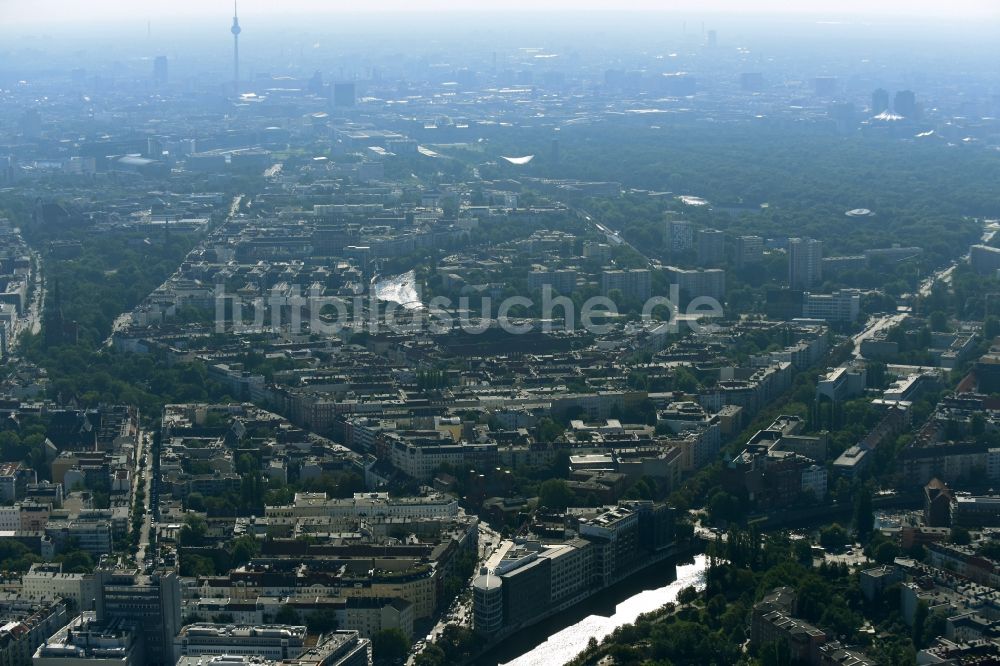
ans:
(82, 11)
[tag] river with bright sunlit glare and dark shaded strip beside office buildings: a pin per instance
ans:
(553, 642)
